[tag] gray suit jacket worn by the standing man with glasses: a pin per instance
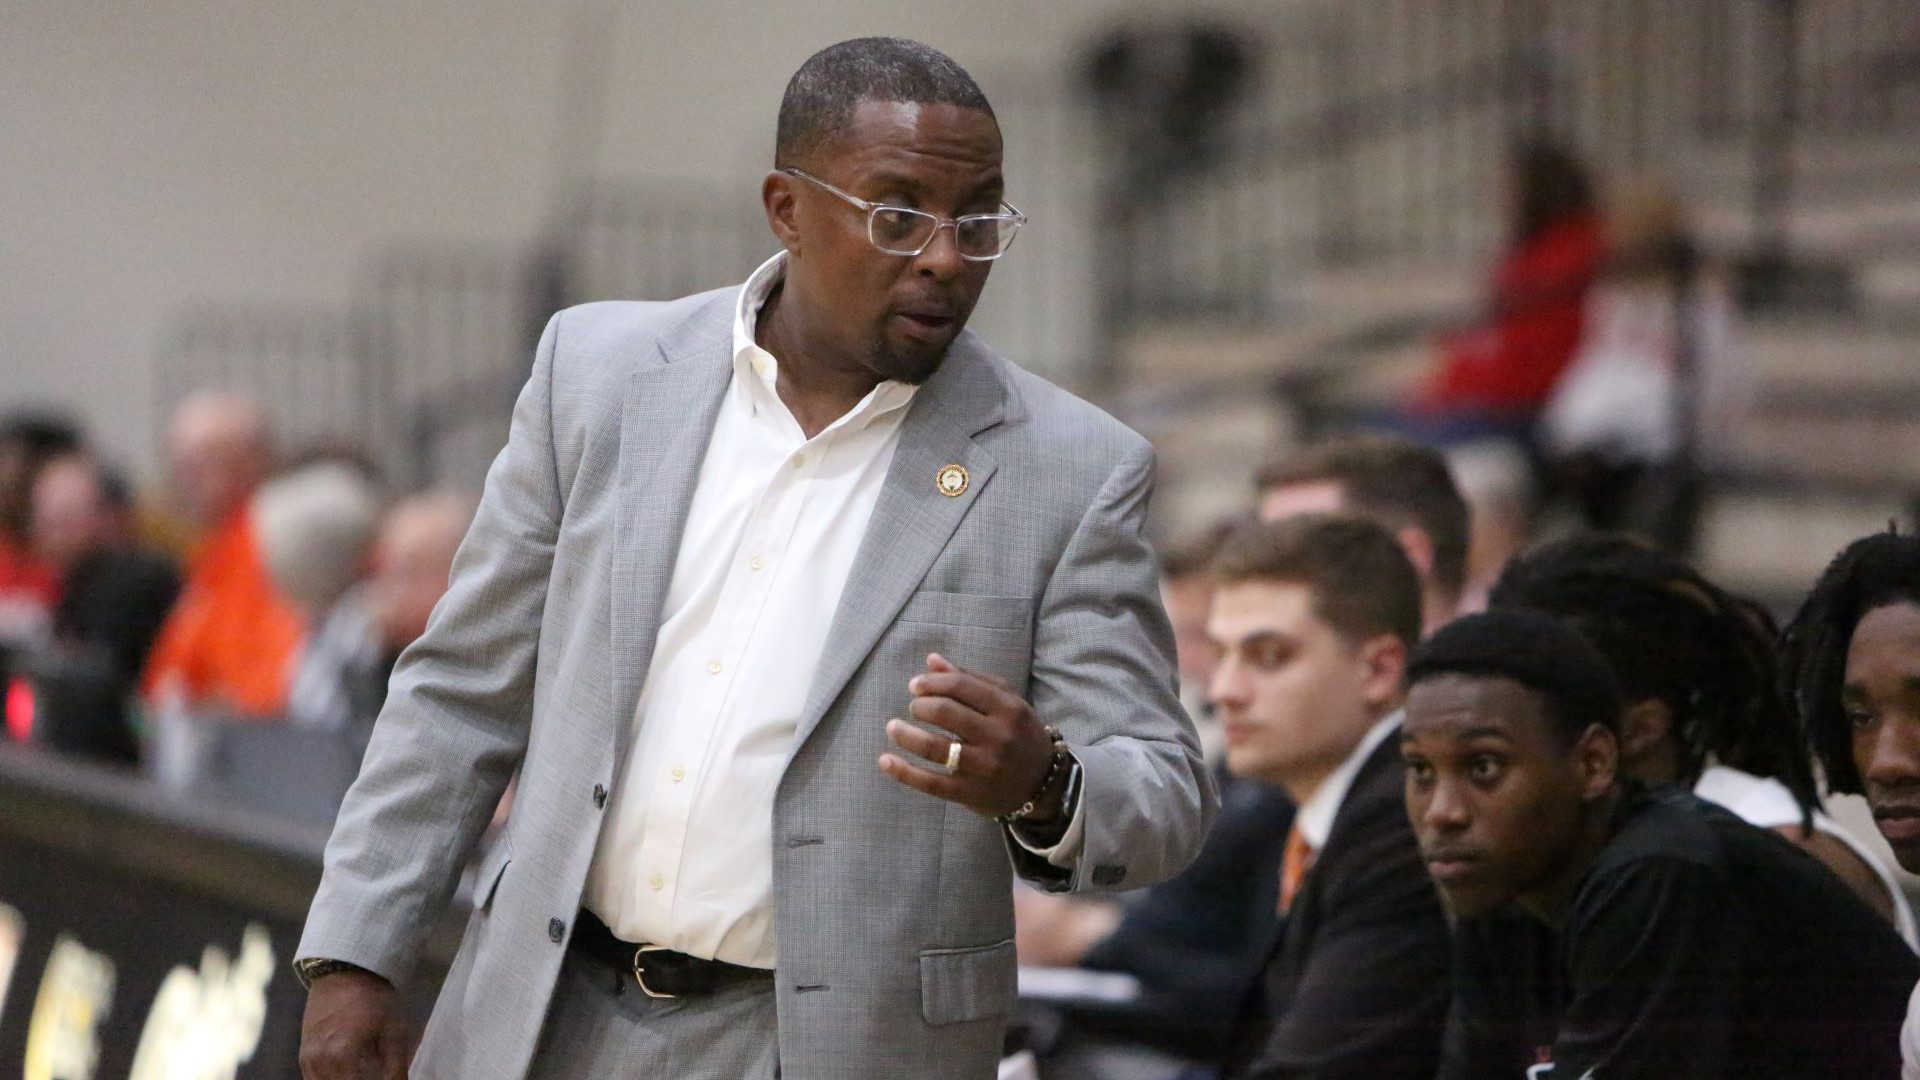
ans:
(894, 910)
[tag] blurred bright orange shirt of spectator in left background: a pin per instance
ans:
(231, 639)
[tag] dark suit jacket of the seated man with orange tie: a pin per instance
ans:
(1356, 983)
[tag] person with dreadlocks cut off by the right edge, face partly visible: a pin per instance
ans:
(1854, 668)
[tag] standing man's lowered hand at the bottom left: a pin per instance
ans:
(354, 1029)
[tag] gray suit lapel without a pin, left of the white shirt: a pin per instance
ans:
(669, 418)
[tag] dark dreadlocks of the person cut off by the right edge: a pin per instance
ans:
(1875, 572)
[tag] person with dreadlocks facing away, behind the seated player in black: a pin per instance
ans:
(1700, 685)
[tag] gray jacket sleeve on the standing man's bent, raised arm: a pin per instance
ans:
(1103, 674)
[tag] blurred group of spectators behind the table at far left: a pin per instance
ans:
(233, 631)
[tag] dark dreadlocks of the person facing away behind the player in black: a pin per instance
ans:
(1679, 639)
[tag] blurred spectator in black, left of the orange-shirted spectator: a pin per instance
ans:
(114, 595)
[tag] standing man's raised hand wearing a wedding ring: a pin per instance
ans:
(1005, 750)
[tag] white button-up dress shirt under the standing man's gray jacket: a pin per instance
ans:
(686, 856)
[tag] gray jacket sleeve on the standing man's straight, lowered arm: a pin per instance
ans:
(458, 714)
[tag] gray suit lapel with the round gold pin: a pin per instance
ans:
(913, 520)
